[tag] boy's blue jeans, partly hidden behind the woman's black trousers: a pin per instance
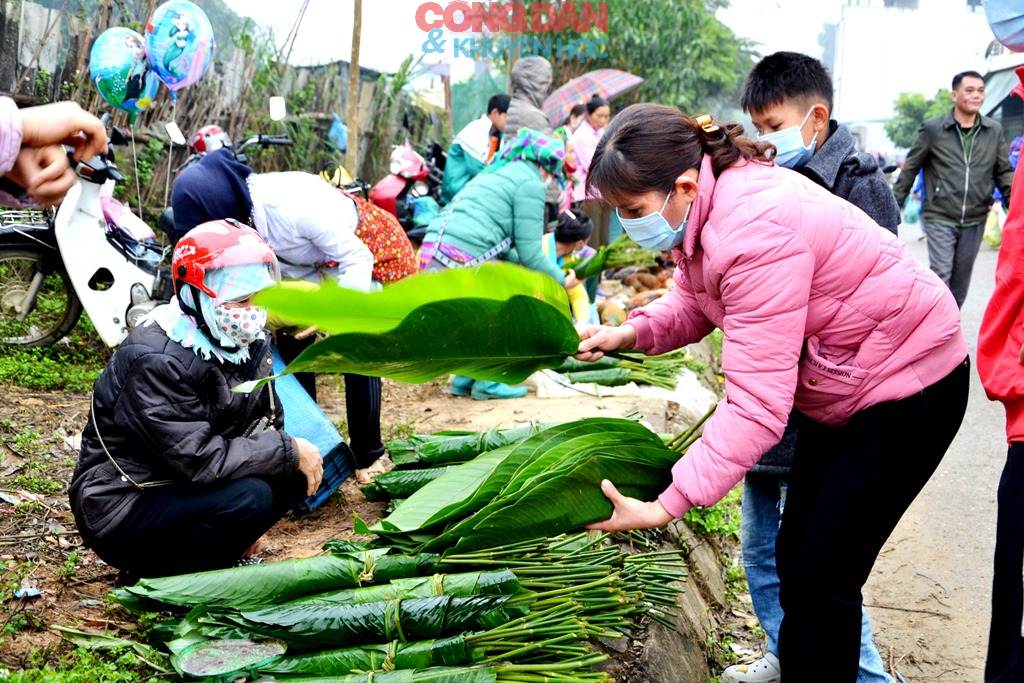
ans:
(764, 502)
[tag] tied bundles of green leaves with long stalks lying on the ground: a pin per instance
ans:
(562, 592)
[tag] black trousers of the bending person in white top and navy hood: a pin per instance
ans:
(363, 403)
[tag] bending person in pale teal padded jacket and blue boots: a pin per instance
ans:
(500, 215)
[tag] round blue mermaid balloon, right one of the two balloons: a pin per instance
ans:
(180, 42)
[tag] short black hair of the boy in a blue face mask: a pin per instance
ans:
(786, 76)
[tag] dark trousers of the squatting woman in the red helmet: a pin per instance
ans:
(185, 529)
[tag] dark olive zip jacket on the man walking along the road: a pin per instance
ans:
(957, 192)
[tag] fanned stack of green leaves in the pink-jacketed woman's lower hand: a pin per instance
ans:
(545, 486)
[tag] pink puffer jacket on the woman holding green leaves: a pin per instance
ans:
(816, 302)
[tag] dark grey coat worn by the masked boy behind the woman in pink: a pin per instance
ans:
(857, 178)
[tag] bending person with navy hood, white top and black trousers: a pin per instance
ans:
(318, 233)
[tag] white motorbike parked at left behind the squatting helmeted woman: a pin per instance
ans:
(57, 264)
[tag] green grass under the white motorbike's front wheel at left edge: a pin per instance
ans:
(72, 365)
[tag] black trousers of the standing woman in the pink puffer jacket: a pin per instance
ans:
(848, 490)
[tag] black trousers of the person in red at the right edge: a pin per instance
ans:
(1005, 663)
